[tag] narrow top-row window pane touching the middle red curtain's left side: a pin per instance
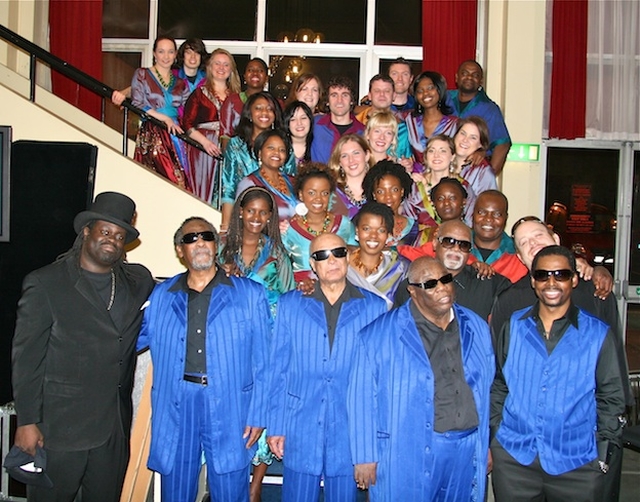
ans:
(399, 23)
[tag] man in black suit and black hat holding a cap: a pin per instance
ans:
(74, 356)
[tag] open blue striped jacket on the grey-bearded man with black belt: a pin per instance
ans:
(238, 330)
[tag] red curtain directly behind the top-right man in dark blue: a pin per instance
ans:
(449, 30)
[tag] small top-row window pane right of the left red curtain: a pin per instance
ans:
(125, 18)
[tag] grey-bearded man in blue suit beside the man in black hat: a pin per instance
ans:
(208, 336)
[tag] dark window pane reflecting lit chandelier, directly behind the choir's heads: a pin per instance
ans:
(325, 68)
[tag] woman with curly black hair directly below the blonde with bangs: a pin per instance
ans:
(389, 183)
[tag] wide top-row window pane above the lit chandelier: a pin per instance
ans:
(339, 21)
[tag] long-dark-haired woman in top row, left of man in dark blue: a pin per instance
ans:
(432, 116)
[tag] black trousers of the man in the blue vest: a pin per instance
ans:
(514, 482)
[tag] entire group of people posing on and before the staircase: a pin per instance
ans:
(362, 315)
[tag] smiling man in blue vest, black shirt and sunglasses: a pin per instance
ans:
(558, 396)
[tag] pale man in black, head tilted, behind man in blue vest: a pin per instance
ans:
(530, 235)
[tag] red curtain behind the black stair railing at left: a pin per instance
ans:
(76, 36)
